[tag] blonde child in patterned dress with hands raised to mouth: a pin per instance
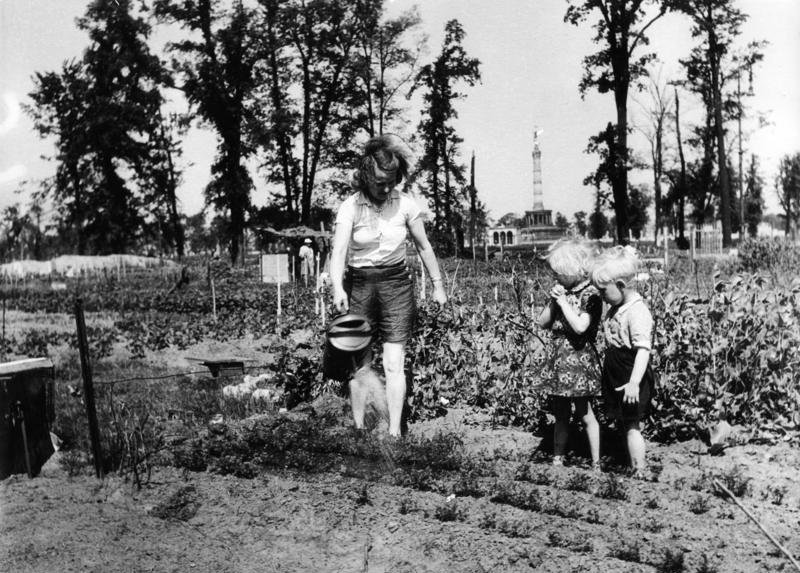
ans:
(573, 315)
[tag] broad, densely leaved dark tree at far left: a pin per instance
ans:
(105, 112)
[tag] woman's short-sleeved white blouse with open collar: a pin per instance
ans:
(379, 233)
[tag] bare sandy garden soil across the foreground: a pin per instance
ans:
(327, 522)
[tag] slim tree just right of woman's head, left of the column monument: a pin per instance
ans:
(439, 162)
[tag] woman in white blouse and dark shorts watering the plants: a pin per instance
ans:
(371, 228)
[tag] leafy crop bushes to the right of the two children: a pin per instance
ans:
(734, 357)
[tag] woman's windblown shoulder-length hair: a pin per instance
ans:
(383, 156)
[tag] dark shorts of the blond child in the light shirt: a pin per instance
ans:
(617, 368)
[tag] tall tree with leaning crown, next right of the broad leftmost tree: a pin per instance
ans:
(215, 66)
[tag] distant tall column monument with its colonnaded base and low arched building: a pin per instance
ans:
(537, 225)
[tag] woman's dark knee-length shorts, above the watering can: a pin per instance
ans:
(385, 295)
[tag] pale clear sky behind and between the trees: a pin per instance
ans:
(531, 65)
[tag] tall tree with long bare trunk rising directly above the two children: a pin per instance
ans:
(619, 30)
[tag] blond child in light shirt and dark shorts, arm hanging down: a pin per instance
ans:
(627, 380)
